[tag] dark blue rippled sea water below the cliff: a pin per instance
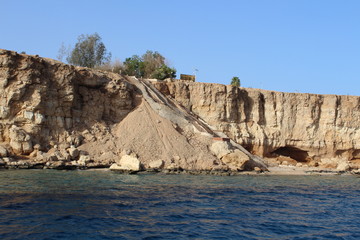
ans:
(45, 204)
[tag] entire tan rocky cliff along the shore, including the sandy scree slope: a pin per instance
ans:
(54, 115)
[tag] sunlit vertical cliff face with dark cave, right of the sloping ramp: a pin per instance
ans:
(317, 129)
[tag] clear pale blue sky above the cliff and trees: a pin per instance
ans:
(283, 45)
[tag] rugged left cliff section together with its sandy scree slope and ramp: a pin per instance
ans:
(54, 115)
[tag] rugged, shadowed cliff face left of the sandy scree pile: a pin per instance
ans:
(44, 102)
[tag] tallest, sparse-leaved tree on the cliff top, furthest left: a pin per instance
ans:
(89, 51)
